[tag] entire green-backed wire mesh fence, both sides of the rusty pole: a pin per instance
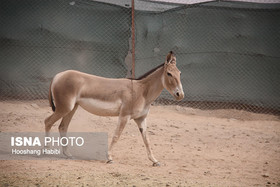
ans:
(228, 52)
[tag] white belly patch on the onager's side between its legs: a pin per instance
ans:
(99, 107)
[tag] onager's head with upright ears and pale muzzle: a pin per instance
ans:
(171, 77)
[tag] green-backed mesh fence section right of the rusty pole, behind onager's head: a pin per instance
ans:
(228, 52)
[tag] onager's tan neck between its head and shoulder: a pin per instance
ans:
(152, 85)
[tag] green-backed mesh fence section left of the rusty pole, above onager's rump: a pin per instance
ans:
(42, 38)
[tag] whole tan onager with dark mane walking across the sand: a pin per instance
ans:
(126, 98)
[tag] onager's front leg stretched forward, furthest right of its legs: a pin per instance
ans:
(141, 122)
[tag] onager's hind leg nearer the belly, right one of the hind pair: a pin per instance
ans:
(63, 127)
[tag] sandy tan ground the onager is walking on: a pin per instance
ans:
(195, 148)
